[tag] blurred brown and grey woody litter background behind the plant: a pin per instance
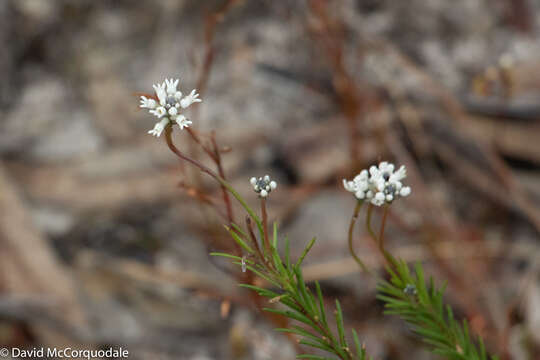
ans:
(104, 235)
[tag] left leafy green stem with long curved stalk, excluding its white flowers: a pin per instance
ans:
(290, 289)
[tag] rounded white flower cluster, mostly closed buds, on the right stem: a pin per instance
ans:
(380, 185)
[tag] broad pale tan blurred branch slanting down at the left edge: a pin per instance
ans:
(30, 267)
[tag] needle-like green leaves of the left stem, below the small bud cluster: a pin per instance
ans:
(298, 301)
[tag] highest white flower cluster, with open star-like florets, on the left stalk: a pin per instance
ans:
(169, 101)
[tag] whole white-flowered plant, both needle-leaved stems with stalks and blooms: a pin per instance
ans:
(405, 294)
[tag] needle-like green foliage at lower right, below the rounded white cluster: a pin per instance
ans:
(421, 305)
